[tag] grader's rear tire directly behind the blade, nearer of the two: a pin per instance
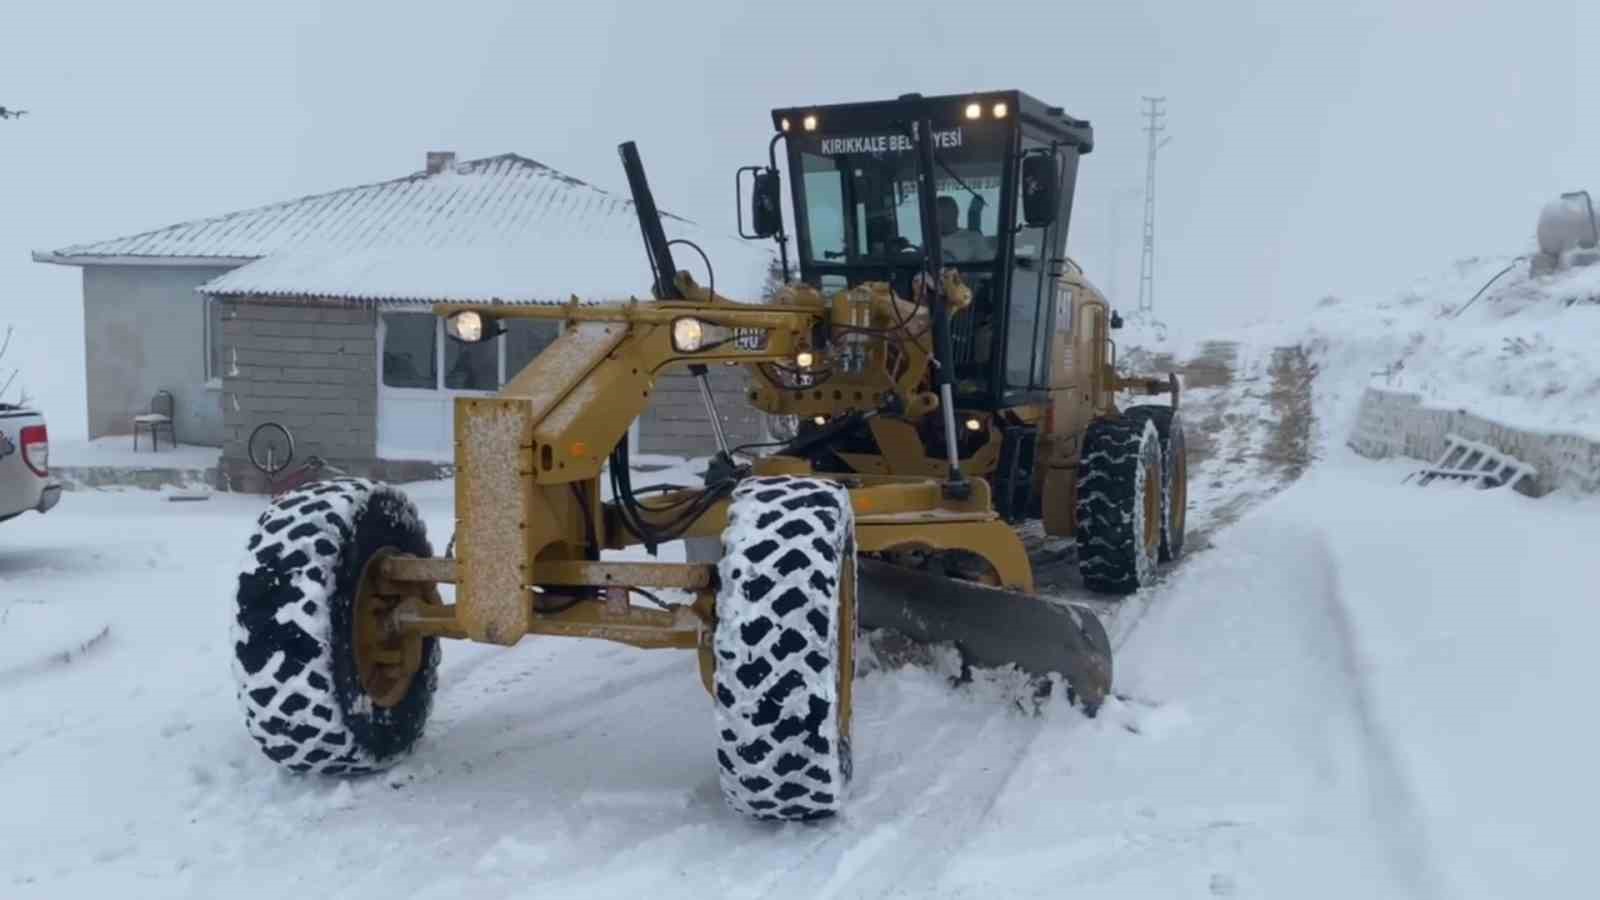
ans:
(1113, 481)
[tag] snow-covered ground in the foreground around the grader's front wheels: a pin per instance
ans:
(1327, 704)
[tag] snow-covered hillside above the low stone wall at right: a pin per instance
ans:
(1524, 353)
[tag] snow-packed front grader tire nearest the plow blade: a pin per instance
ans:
(783, 653)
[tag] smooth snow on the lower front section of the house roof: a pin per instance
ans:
(554, 270)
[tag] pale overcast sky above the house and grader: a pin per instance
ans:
(1338, 148)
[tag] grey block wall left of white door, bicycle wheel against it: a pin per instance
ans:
(311, 368)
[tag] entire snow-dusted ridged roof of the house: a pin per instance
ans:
(500, 228)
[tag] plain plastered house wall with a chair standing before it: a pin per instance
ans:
(145, 332)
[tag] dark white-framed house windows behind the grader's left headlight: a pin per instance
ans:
(418, 355)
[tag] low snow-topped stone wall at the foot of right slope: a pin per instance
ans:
(1393, 424)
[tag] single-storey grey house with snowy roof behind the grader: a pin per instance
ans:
(314, 313)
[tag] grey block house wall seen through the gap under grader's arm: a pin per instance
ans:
(676, 420)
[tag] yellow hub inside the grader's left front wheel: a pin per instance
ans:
(386, 657)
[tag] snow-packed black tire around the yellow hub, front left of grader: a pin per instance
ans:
(294, 632)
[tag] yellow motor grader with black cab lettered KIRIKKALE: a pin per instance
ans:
(954, 376)
